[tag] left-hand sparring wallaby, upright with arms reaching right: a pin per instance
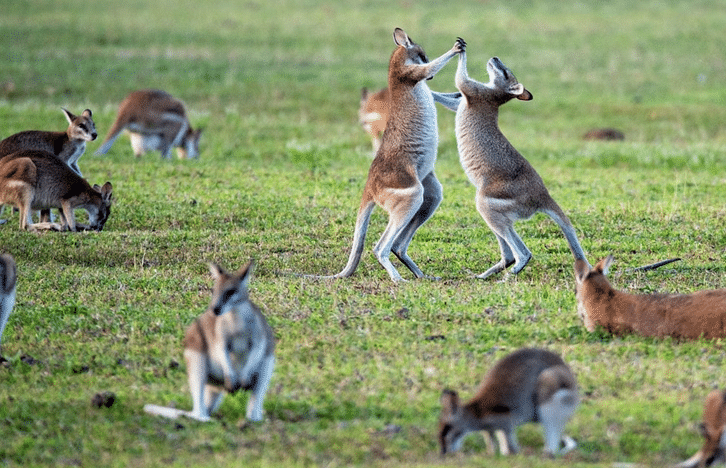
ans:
(401, 178)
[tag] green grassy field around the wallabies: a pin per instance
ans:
(361, 362)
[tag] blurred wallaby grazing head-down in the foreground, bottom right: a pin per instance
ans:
(528, 385)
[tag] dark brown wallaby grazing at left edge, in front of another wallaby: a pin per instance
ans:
(38, 180)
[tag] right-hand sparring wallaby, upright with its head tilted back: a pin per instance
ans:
(507, 186)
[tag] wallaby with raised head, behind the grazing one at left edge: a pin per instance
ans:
(69, 146)
